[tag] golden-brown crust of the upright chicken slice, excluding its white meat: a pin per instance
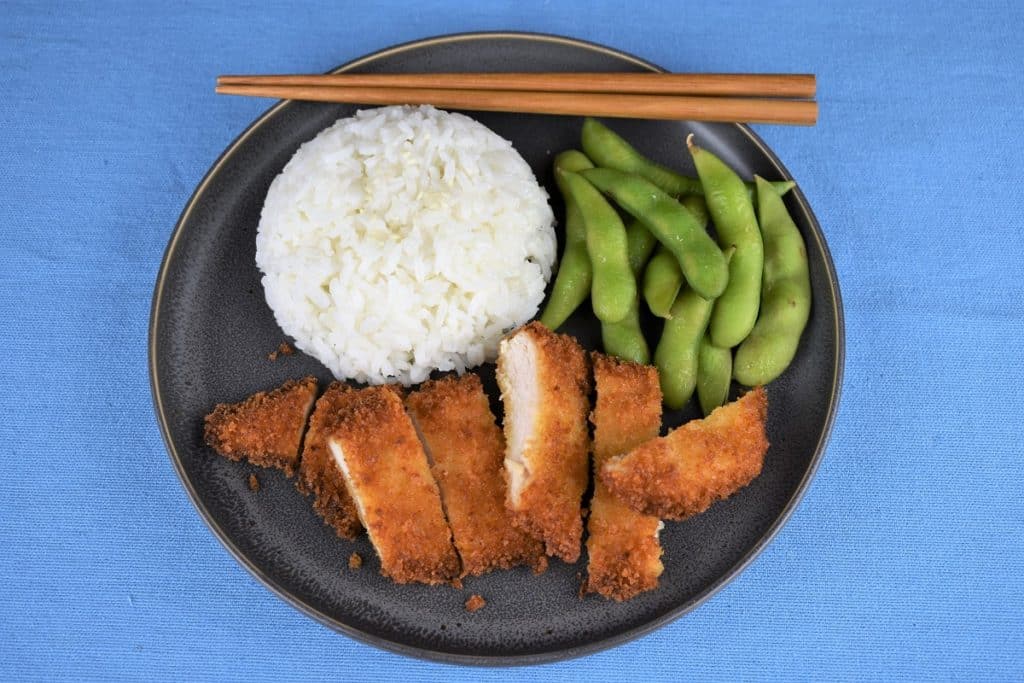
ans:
(549, 507)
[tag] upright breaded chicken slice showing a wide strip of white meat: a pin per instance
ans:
(545, 381)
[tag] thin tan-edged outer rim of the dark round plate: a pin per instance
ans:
(477, 660)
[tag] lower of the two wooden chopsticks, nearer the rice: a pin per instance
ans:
(630, 106)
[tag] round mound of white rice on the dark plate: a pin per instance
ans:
(405, 240)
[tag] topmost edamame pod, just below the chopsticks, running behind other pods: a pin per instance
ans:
(608, 149)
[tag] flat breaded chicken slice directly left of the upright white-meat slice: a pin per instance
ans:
(466, 449)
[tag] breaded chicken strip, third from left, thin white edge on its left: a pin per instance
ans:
(375, 446)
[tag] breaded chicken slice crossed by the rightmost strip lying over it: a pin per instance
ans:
(624, 553)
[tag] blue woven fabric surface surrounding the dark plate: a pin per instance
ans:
(906, 559)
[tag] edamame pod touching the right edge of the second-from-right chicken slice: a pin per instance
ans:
(676, 355)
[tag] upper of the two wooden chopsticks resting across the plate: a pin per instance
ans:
(749, 86)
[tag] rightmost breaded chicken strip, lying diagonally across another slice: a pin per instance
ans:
(704, 461)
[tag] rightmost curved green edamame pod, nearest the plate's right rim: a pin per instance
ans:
(786, 300)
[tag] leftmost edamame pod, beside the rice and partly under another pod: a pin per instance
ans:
(575, 274)
